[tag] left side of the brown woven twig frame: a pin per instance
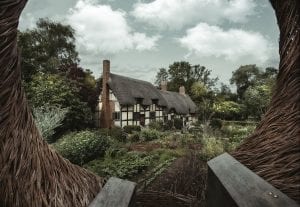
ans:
(31, 173)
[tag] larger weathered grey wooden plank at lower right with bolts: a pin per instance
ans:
(232, 184)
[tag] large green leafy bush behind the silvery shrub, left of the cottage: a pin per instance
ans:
(56, 90)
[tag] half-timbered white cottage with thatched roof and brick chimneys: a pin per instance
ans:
(127, 101)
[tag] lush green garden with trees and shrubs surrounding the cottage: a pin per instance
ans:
(164, 159)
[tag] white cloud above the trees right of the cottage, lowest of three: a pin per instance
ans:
(235, 45)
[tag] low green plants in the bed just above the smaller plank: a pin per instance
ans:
(125, 166)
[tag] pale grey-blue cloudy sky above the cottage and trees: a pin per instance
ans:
(141, 36)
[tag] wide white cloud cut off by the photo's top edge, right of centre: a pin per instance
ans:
(175, 14)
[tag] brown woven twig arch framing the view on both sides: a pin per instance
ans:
(32, 174)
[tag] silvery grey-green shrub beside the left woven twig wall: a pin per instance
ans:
(48, 119)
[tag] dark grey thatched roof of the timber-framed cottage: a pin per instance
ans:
(128, 91)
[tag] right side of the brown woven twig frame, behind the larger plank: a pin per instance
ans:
(273, 151)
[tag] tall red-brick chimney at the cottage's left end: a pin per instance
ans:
(106, 116)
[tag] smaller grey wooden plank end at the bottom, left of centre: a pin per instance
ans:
(116, 193)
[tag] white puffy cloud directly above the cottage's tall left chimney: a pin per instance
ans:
(99, 29)
